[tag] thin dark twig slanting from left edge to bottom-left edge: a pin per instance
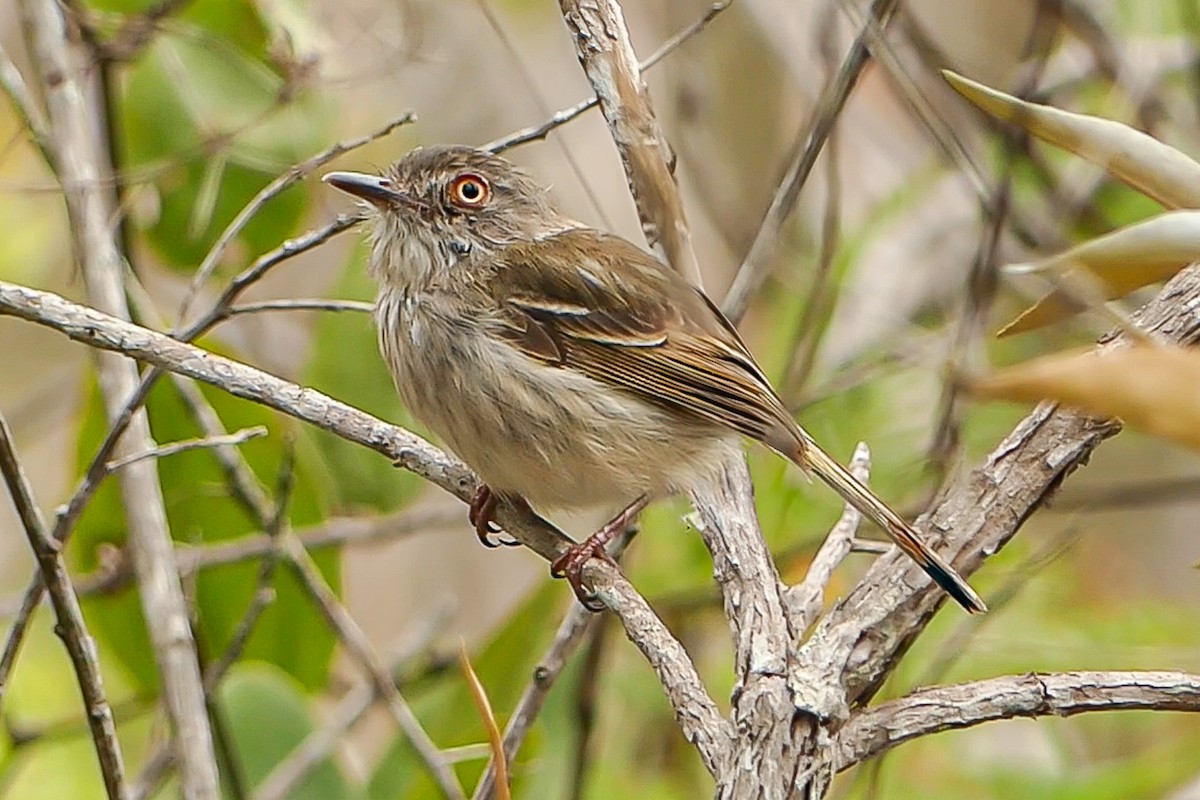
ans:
(71, 627)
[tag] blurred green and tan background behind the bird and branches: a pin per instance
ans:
(856, 324)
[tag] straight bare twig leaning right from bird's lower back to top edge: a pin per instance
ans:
(758, 262)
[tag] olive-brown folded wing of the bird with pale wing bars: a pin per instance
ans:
(613, 312)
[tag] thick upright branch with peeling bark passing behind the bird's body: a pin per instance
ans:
(765, 745)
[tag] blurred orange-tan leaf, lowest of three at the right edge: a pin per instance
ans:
(1154, 389)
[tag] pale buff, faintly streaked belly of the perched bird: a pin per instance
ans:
(550, 435)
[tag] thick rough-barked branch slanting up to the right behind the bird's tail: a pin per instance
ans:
(977, 519)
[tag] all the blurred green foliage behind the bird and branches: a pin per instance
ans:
(202, 124)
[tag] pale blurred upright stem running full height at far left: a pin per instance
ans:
(81, 160)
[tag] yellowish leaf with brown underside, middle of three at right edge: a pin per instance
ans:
(1124, 261)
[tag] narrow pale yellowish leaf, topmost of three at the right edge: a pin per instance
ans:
(1151, 167)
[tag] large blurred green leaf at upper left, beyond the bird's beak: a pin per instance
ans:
(201, 118)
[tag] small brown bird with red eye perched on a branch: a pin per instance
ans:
(567, 366)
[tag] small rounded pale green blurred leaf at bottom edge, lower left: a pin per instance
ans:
(268, 718)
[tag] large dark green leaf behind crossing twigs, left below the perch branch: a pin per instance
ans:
(200, 510)
